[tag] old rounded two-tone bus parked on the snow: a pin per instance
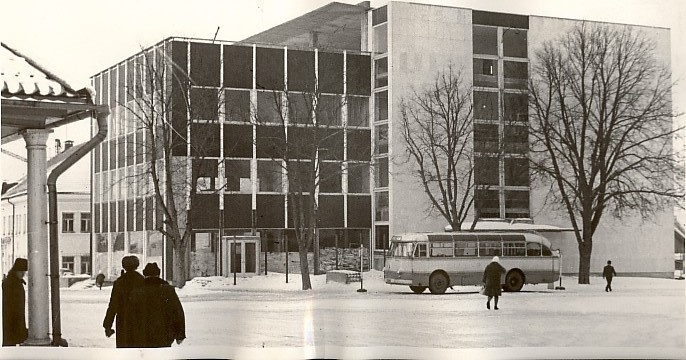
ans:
(441, 260)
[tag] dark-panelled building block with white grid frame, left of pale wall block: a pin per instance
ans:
(241, 187)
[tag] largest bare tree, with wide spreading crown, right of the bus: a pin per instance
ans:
(601, 128)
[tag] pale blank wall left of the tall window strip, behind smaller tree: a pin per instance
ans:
(423, 40)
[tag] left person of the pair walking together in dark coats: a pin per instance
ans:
(119, 301)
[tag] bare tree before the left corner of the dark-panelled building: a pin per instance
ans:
(162, 107)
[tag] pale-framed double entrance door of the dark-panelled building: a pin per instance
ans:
(240, 254)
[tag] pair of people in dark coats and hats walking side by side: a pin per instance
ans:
(147, 310)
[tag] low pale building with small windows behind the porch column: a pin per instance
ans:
(74, 217)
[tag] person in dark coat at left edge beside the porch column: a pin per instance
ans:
(14, 329)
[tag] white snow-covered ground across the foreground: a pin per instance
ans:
(264, 316)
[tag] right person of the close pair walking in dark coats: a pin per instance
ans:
(156, 311)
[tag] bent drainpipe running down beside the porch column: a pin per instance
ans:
(101, 113)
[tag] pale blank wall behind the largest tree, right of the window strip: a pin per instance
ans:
(636, 246)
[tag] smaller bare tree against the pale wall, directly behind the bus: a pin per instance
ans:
(437, 128)
